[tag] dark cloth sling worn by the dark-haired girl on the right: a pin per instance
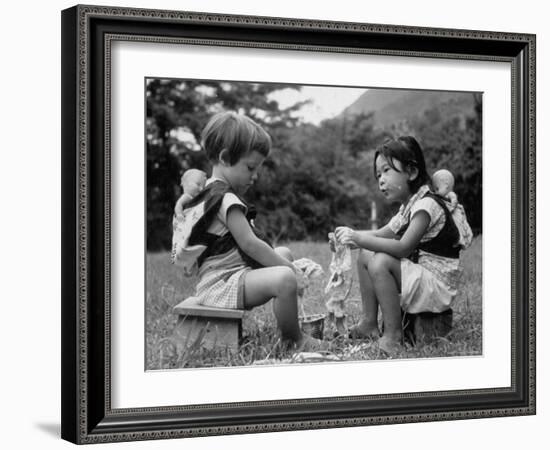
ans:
(445, 243)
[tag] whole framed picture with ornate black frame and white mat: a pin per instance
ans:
(283, 224)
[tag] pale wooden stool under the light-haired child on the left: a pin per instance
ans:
(208, 327)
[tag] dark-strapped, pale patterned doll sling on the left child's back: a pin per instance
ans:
(191, 241)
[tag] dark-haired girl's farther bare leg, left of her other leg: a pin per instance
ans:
(368, 325)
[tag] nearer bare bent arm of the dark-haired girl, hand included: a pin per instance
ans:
(397, 248)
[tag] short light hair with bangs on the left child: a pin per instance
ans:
(236, 133)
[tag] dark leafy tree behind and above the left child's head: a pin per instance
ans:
(177, 111)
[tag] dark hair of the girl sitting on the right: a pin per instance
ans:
(408, 152)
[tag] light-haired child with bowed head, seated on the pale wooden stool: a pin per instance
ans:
(237, 267)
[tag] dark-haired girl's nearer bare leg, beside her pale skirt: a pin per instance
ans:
(385, 273)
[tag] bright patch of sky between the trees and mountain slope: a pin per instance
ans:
(326, 101)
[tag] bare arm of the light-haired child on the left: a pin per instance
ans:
(249, 243)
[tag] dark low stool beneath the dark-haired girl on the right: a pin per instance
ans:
(426, 326)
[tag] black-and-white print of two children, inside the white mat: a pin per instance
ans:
(292, 224)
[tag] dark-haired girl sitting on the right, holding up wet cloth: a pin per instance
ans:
(412, 263)
